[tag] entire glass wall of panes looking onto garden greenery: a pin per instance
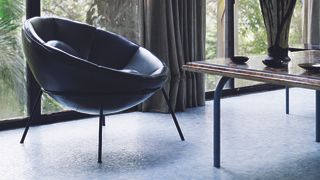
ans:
(123, 17)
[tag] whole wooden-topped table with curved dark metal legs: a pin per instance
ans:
(254, 69)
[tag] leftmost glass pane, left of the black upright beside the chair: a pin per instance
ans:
(12, 64)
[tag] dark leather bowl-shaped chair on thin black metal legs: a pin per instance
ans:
(89, 70)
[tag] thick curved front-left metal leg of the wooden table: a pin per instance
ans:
(216, 120)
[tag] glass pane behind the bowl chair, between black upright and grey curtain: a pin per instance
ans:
(119, 16)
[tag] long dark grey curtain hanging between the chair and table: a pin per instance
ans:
(174, 31)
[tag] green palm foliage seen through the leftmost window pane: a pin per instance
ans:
(11, 56)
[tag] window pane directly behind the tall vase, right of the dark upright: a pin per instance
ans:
(251, 38)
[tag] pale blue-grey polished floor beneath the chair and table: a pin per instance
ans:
(259, 141)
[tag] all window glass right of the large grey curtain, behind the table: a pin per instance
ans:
(250, 35)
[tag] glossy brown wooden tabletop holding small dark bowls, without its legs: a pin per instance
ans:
(254, 69)
